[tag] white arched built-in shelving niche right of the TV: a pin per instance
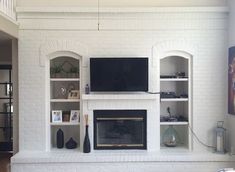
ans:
(178, 105)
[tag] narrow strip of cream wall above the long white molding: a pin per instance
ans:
(122, 3)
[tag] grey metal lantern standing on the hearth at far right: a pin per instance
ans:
(220, 137)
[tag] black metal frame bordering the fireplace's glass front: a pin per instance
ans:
(119, 114)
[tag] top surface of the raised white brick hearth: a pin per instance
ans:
(35, 157)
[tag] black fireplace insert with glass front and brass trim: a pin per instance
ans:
(120, 129)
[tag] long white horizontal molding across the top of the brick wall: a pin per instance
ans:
(121, 10)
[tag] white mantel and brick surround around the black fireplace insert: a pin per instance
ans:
(142, 101)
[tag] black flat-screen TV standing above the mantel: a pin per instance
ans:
(119, 74)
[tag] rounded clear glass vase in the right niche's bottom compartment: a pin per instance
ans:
(170, 137)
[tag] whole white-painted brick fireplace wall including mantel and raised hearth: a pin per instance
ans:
(123, 33)
